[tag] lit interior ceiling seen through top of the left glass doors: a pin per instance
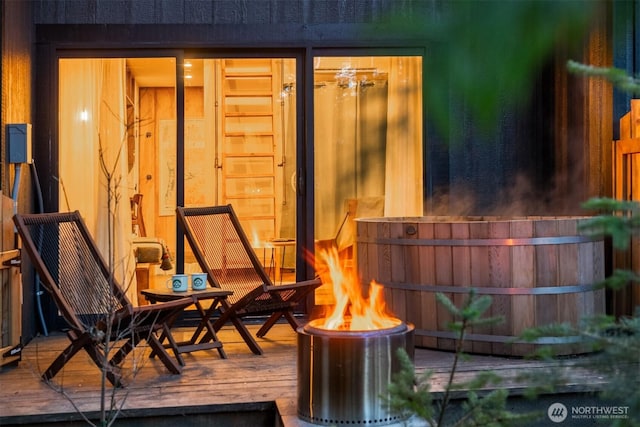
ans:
(161, 72)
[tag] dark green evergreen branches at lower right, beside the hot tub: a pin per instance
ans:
(615, 363)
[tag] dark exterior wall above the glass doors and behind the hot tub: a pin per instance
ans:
(528, 147)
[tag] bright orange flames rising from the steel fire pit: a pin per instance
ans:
(353, 310)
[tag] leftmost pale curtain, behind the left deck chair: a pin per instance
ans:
(92, 146)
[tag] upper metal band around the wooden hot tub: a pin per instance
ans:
(523, 241)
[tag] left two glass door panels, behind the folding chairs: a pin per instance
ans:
(118, 123)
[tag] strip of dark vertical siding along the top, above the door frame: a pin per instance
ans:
(224, 11)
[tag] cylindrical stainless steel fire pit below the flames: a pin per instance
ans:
(343, 374)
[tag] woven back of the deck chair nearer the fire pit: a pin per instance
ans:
(223, 251)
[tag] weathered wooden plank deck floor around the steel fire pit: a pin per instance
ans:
(243, 382)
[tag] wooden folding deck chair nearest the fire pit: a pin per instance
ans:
(223, 251)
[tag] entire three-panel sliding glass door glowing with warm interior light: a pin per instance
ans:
(118, 141)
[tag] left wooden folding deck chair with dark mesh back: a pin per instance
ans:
(88, 298)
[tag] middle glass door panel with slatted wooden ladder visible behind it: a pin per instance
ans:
(246, 150)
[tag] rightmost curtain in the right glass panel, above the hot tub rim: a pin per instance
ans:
(403, 185)
